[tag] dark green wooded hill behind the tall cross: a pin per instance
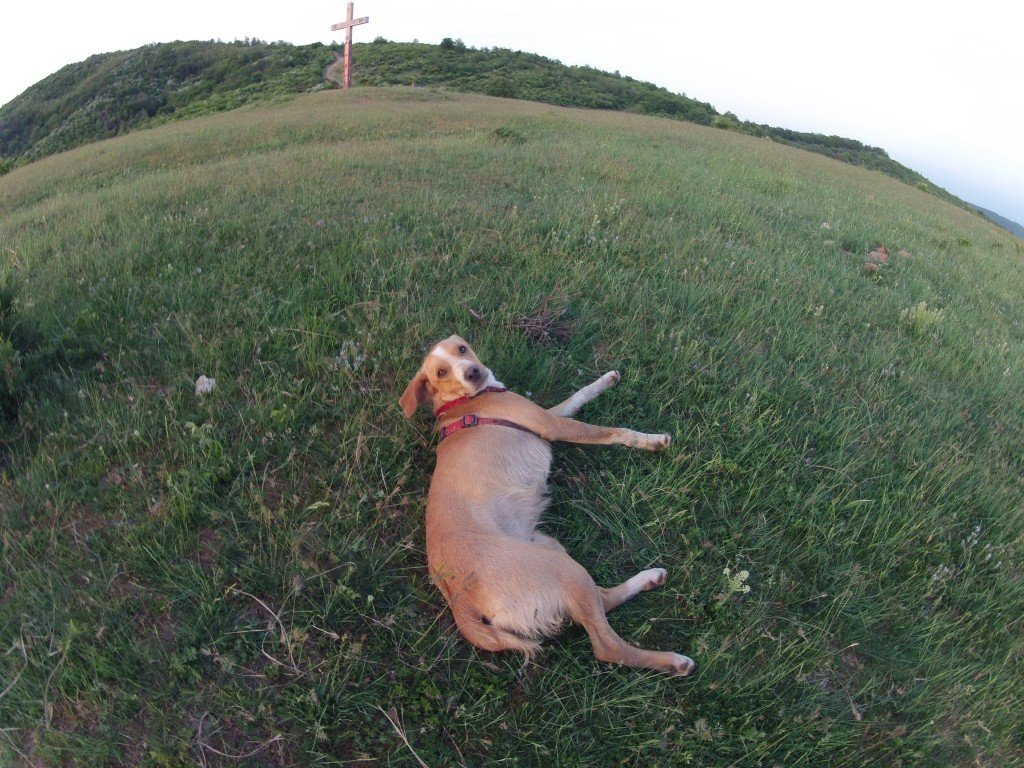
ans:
(112, 94)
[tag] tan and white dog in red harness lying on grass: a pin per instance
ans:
(508, 584)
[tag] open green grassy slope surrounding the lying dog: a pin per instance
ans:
(186, 578)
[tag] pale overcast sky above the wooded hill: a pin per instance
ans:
(937, 86)
